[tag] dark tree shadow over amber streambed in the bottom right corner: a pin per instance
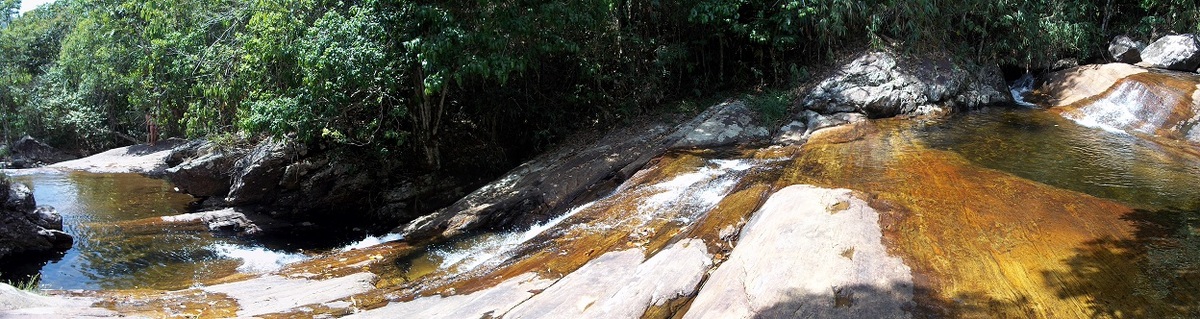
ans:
(1154, 275)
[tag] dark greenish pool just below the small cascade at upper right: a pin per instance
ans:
(1049, 149)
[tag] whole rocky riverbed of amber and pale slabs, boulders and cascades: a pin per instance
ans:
(997, 213)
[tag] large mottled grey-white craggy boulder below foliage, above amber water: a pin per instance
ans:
(883, 85)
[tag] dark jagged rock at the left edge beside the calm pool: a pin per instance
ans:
(27, 228)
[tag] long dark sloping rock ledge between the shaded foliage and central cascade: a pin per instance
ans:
(562, 178)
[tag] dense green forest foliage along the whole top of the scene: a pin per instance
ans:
(407, 77)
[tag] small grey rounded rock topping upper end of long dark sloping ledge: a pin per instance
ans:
(723, 125)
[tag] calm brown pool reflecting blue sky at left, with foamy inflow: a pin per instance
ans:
(110, 257)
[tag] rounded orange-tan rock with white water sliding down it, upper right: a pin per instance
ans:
(1123, 98)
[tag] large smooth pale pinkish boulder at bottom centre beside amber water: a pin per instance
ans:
(809, 254)
